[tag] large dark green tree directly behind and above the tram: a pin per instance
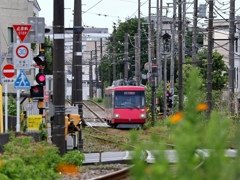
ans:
(130, 26)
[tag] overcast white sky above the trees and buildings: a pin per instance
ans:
(103, 13)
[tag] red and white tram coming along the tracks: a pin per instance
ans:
(125, 106)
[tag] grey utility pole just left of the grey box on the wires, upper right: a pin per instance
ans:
(194, 38)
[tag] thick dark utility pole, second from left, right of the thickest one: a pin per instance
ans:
(77, 62)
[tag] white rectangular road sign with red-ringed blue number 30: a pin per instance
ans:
(22, 55)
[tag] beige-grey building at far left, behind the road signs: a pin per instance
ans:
(14, 12)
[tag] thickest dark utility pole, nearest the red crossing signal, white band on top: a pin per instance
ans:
(58, 123)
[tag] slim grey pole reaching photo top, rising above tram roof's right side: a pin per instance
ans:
(138, 57)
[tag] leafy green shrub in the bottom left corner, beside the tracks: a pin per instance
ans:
(23, 158)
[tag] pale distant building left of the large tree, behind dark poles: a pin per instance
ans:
(91, 56)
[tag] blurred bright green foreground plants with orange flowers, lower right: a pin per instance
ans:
(195, 132)
